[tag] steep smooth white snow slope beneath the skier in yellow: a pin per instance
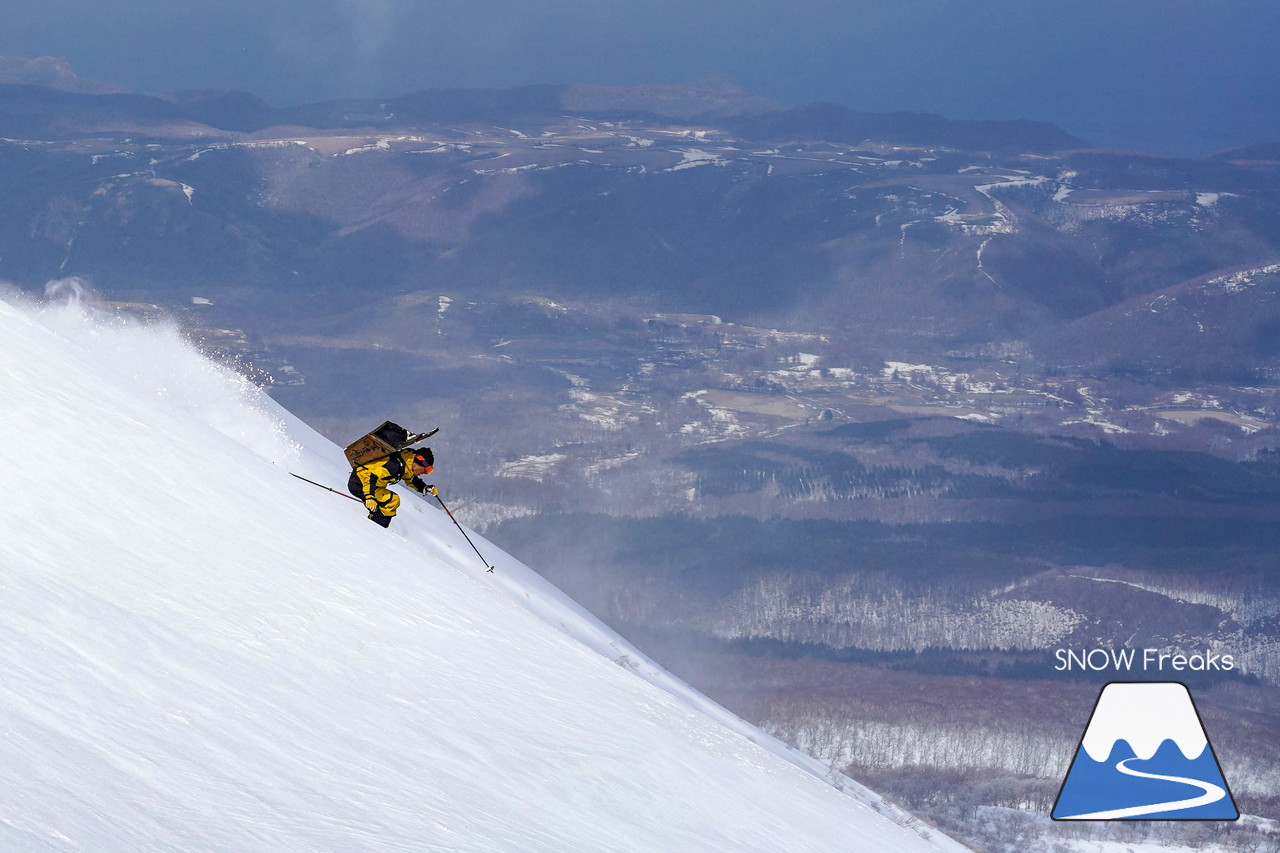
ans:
(199, 653)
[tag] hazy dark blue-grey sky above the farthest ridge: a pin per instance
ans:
(1174, 76)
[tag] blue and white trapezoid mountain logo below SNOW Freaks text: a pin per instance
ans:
(1145, 756)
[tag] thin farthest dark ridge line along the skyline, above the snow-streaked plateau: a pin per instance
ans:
(25, 112)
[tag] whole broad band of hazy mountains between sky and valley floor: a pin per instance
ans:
(883, 229)
